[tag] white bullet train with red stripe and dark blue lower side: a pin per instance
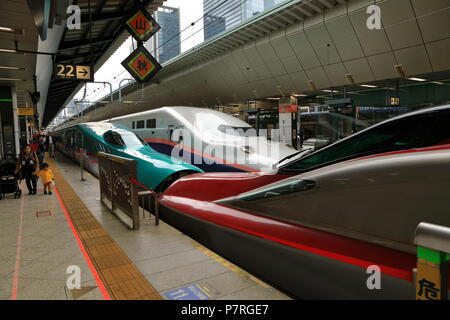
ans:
(209, 139)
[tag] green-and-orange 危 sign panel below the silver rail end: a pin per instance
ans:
(432, 274)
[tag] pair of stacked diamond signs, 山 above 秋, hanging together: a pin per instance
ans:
(141, 65)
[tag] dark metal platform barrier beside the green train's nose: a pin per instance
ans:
(119, 189)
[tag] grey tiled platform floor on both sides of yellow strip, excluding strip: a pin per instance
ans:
(175, 265)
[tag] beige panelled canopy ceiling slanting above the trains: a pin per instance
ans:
(304, 47)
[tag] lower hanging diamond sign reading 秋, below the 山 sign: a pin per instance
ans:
(141, 65)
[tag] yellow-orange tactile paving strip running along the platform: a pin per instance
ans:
(121, 278)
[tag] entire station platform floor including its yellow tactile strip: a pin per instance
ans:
(46, 241)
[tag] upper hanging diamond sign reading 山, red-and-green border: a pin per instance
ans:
(141, 25)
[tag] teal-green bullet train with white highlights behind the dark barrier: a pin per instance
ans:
(155, 170)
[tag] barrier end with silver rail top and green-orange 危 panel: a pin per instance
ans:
(433, 248)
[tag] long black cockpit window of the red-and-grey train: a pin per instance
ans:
(412, 132)
